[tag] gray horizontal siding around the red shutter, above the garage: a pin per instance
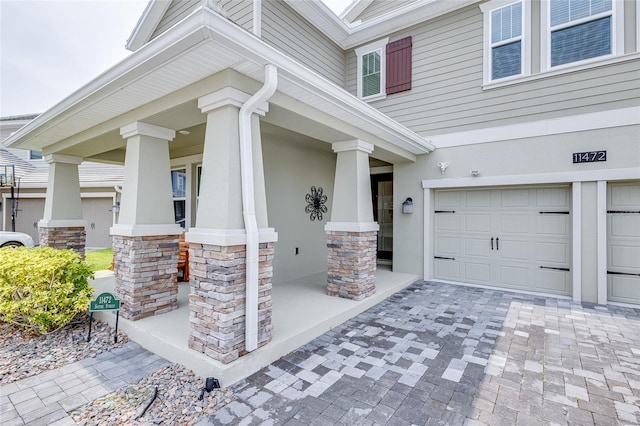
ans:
(447, 94)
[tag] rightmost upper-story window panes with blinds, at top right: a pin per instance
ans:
(579, 30)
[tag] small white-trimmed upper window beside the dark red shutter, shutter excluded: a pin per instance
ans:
(371, 72)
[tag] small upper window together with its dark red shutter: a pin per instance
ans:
(384, 68)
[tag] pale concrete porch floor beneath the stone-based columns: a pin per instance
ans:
(301, 312)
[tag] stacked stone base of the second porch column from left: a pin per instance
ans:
(146, 270)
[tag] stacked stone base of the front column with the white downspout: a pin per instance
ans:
(217, 299)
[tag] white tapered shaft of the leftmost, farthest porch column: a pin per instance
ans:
(63, 203)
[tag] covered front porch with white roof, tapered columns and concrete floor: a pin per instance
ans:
(254, 132)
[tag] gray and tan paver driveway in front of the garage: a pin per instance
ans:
(444, 354)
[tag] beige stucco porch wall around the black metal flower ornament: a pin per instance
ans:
(290, 171)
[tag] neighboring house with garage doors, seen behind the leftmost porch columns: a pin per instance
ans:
(32, 172)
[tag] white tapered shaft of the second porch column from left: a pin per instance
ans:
(146, 206)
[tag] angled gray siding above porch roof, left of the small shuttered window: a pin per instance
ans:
(288, 32)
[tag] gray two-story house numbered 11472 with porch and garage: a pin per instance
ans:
(499, 141)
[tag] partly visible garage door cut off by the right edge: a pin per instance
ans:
(623, 237)
